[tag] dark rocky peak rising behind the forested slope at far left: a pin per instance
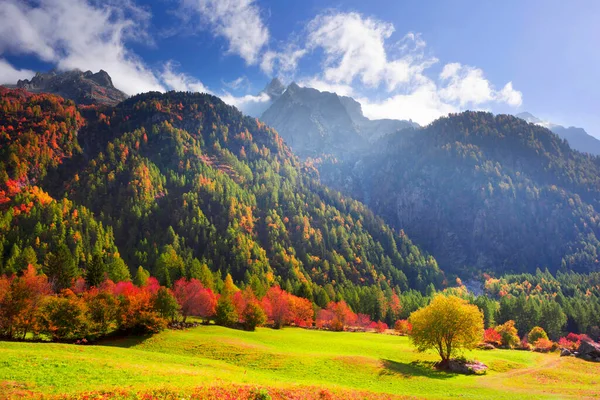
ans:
(81, 87)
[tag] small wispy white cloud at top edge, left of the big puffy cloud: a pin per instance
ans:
(238, 21)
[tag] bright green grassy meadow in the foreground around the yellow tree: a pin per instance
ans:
(323, 364)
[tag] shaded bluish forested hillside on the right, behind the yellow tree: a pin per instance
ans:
(483, 193)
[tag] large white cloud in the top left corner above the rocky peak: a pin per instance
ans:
(77, 34)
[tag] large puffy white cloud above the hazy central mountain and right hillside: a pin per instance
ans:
(359, 58)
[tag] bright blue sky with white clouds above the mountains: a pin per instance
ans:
(401, 59)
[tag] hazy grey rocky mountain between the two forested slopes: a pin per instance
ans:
(315, 123)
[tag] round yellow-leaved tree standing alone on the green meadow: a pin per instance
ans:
(448, 325)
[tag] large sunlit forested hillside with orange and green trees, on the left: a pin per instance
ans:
(183, 180)
